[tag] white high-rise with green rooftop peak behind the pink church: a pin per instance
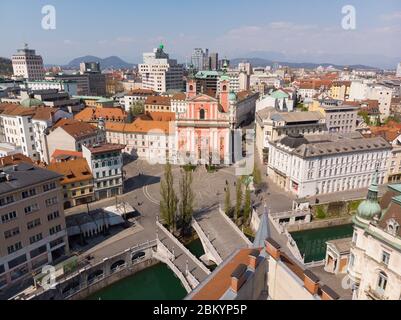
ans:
(160, 73)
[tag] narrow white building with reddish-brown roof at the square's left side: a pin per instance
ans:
(106, 164)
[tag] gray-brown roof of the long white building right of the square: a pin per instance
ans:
(330, 144)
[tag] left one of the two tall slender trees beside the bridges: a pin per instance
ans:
(168, 203)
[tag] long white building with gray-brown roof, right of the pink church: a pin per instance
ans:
(320, 164)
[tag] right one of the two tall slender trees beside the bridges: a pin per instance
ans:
(187, 201)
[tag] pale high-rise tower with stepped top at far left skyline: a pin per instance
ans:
(28, 65)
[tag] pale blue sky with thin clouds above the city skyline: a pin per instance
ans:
(297, 30)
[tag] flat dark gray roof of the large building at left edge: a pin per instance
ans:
(24, 175)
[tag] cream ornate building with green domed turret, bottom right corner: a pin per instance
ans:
(375, 256)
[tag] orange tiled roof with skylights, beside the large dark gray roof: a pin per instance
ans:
(72, 170)
